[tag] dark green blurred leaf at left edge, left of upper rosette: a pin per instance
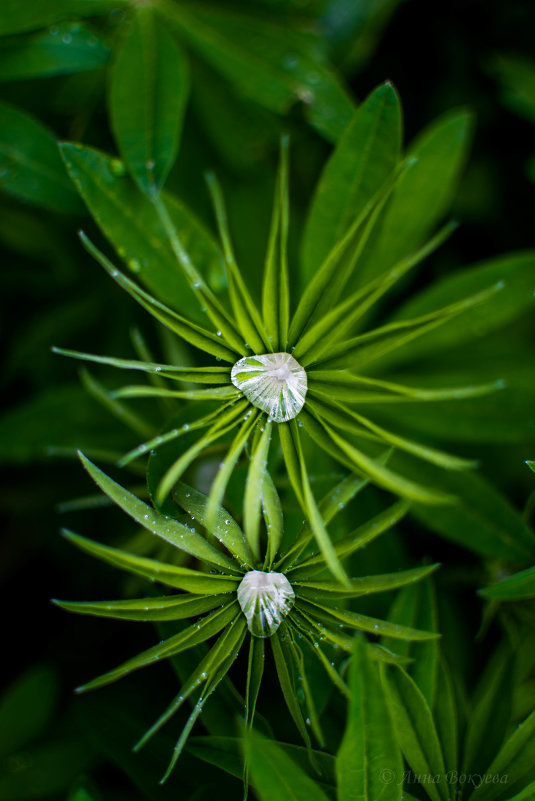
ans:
(30, 166)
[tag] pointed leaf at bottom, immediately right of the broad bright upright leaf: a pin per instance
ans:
(415, 730)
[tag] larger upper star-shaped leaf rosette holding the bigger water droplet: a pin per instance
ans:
(293, 371)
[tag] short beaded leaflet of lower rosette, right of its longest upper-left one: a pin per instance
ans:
(224, 527)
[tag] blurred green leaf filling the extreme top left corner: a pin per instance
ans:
(16, 17)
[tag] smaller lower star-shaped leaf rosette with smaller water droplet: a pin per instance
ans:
(234, 597)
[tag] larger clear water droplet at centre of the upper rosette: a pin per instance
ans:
(273, 382)
